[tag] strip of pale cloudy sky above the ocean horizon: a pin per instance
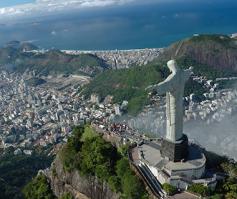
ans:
(16, 9)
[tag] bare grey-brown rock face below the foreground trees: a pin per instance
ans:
(79, 186)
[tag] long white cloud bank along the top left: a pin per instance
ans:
(50, 6)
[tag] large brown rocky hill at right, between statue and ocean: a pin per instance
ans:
(217, 51)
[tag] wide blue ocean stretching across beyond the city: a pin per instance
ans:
(126, 27)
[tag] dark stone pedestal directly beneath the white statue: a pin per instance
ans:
(175, 151)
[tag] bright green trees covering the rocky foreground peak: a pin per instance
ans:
(89, 154)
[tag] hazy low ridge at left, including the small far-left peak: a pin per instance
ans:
(13, 56)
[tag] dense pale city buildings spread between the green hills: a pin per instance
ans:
(44, 115)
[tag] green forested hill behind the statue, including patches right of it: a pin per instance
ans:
(130, 84)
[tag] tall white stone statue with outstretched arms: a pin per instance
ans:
(173, 86)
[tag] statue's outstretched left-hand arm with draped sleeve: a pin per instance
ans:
(162, 87)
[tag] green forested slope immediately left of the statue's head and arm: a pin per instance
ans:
(127, 84)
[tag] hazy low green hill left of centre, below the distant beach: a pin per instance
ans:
(56, 62)
